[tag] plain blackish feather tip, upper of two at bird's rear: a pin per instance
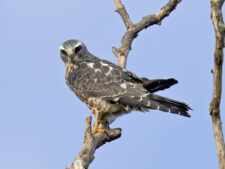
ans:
(157, 84)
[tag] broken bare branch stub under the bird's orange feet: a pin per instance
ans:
(91, 143)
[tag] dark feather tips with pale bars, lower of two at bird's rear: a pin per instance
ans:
(168, 105)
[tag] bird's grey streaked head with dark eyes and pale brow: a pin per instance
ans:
(73, 51)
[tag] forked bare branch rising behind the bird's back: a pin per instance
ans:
(134, 29)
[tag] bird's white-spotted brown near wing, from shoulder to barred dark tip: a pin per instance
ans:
(102, 79)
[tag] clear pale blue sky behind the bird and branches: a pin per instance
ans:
(42, 121)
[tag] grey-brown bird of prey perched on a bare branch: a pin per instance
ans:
(111, 91)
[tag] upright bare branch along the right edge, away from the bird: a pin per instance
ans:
(217, 19)
